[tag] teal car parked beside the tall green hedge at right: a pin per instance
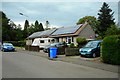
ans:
(91, 49)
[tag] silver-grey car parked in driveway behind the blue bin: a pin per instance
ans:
(58, 44)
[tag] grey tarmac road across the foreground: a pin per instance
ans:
(22, 65)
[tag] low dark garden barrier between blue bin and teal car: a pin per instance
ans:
(72, 51)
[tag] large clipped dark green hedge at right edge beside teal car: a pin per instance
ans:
(111, 49)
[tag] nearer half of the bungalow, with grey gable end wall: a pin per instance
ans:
(69, 34)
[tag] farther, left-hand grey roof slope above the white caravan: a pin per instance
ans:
(41, 34)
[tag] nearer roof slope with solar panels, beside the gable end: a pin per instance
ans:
(67, 30)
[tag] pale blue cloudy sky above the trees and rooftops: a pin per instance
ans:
(58, 14)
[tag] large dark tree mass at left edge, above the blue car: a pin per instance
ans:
(10, 31)
